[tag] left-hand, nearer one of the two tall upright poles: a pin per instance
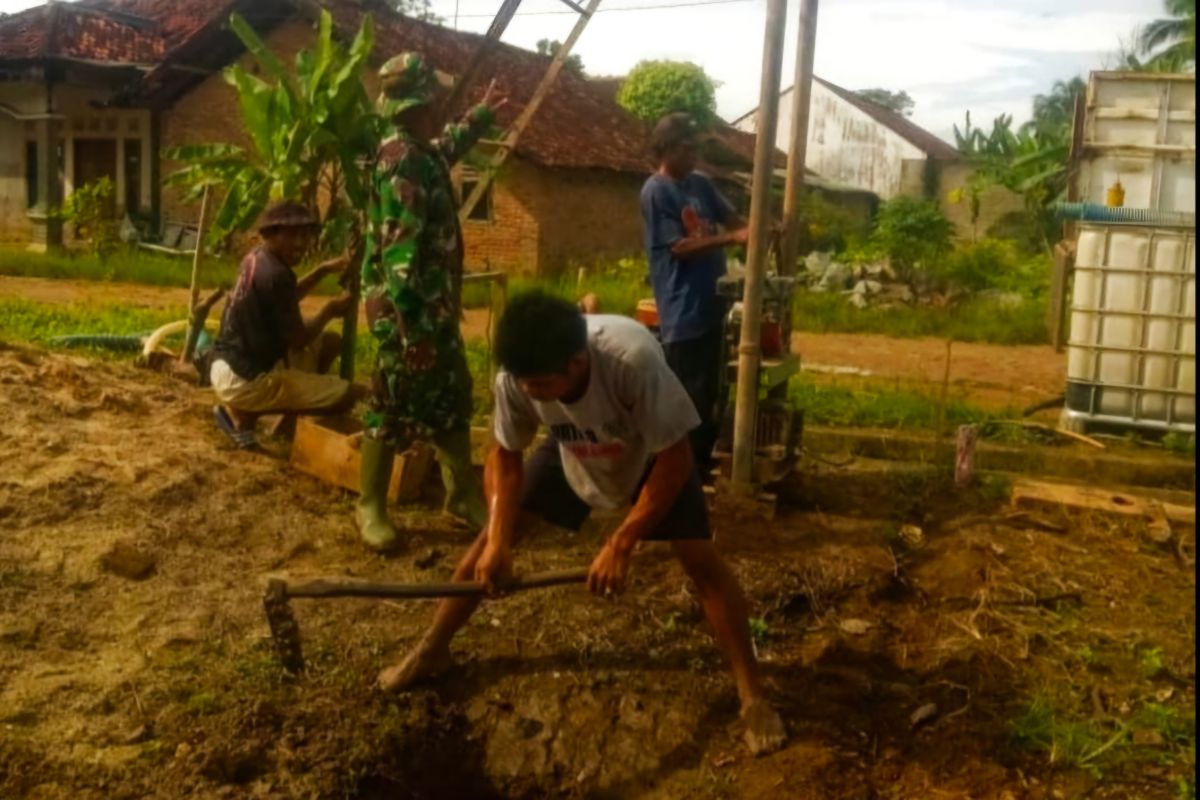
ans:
(747, 410)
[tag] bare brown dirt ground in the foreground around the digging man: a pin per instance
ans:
(166, 688)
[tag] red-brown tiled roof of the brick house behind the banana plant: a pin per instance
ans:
(579, 124)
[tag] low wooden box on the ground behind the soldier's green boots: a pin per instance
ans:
(326, 448)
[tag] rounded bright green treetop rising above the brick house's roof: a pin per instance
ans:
(656, 89)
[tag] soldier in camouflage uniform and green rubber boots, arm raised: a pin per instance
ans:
(412, 282)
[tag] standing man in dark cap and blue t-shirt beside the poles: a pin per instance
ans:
(688, 225)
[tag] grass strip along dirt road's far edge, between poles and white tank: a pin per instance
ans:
(974, 321)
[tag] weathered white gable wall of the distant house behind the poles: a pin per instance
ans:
(847, 146)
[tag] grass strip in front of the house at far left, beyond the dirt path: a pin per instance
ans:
(127, 266)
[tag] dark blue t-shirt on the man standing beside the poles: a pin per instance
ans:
(685, 290)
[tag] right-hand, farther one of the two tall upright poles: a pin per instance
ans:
(802, 100)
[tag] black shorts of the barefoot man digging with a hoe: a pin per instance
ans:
(548, 495)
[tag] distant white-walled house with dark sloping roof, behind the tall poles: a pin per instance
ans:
(860, 145)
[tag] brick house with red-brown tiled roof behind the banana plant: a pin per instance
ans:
(106, 87)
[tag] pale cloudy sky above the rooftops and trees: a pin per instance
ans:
(986, 57)
